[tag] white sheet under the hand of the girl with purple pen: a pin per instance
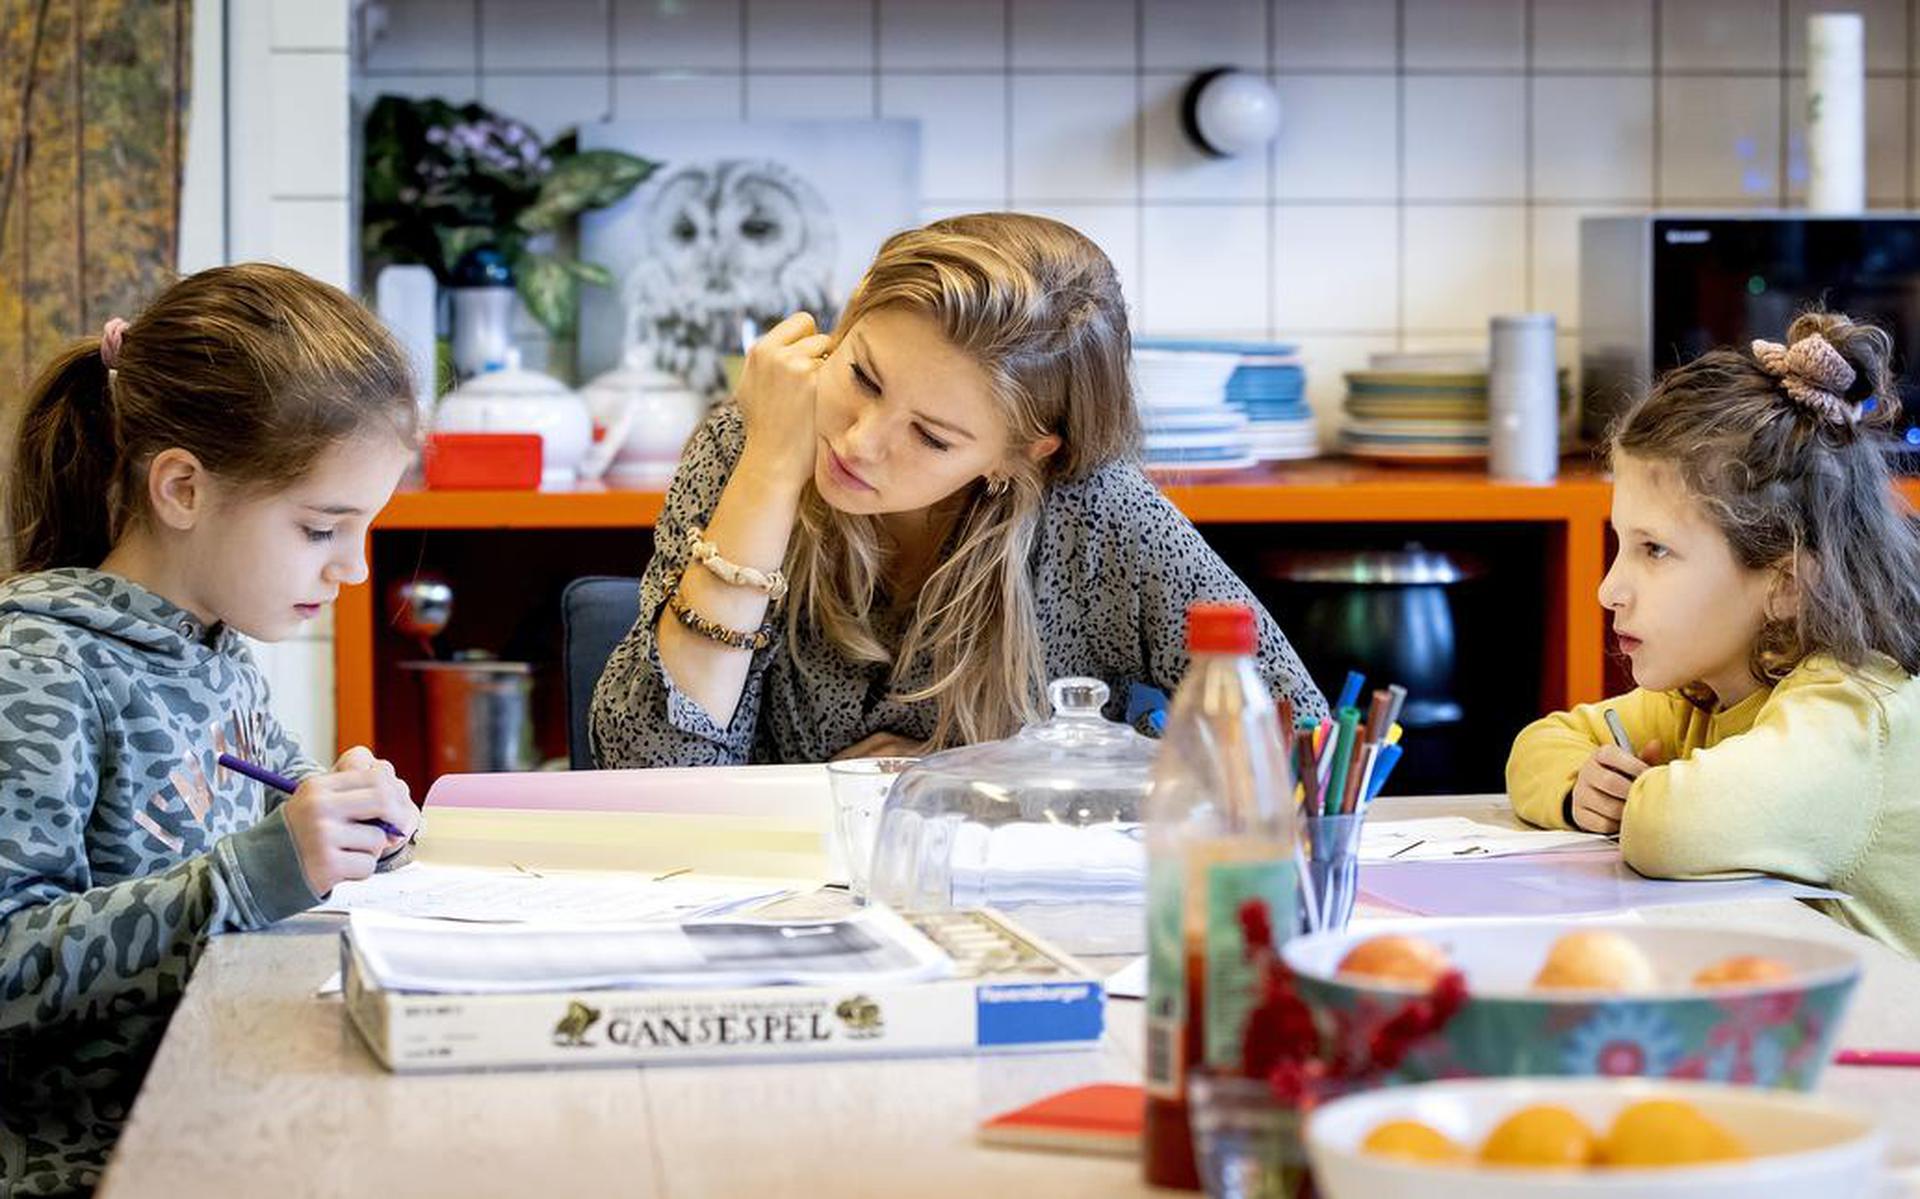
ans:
(429, 891)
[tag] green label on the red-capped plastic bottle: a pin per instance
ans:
(1232, 981)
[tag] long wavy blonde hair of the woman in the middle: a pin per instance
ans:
(1040, 308)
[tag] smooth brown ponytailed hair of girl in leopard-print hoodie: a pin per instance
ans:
(252, 370)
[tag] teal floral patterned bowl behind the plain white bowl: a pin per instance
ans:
(1762, 1035)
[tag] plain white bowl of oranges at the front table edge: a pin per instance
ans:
(1550, 1138)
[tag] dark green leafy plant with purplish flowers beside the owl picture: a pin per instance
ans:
(477, 197)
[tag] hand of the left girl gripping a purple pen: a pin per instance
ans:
(329, 820)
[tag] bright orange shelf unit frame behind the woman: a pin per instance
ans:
(1322, 493)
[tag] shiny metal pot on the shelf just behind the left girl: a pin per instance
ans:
(479, 716)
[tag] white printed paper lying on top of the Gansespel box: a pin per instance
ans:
(431, 956)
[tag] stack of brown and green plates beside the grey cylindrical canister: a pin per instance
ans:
(1420, 410)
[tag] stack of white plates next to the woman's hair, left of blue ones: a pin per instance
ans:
(1184, 404)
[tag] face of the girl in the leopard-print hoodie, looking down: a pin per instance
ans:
(268, 564)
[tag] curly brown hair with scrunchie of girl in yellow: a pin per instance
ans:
(1794, 470)
